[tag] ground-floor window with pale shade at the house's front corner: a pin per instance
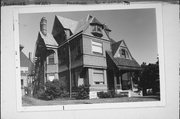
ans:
(98, 76)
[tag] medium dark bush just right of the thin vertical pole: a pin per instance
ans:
(82, 92)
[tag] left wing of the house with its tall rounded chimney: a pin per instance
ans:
(46, 57)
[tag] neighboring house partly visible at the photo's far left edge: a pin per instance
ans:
(26, 71)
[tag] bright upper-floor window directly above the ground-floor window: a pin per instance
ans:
(97, 47)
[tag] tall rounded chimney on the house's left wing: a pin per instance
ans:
(43, 26)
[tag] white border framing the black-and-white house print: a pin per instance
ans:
(67, 8)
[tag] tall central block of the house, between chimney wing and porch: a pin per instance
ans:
(88, 42)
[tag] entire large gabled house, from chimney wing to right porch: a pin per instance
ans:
(95, 59)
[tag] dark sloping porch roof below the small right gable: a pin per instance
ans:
(122, 63)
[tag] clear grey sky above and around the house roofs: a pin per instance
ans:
(137, 27)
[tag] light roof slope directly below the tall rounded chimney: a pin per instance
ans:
(48, 40)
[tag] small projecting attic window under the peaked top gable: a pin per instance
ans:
(97, 30)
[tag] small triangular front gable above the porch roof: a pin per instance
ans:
(123, 51)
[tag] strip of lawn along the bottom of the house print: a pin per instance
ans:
(30, 101)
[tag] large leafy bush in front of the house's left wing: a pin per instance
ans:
(53, 89)
